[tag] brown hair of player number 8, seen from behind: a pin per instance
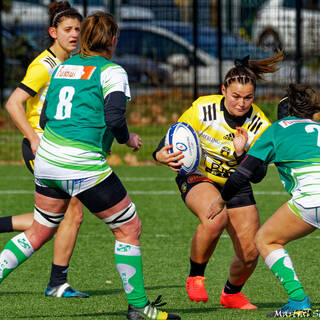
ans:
(96, 34)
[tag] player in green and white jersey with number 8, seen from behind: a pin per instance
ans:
(84, 111)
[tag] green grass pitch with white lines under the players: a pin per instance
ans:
(167, 230)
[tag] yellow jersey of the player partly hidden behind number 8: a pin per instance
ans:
(36, 82)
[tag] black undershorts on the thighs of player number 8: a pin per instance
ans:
(103, 196)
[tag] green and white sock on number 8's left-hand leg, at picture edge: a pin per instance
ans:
(15, 252)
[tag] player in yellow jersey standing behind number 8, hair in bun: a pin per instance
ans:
(64, 31)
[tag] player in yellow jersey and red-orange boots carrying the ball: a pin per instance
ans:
(227, 125)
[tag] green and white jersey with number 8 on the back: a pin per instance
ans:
(76, 139)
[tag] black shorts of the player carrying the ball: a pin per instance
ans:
(243, 198)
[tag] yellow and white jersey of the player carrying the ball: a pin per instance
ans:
(207, 117)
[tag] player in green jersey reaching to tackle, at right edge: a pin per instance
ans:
(292, 144)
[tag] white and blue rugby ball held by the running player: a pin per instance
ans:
(184, 138)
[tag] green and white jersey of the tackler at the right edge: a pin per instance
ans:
(293, 145)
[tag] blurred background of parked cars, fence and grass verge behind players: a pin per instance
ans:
(173, 51)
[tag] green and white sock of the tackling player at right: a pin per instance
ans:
(281, 265)
